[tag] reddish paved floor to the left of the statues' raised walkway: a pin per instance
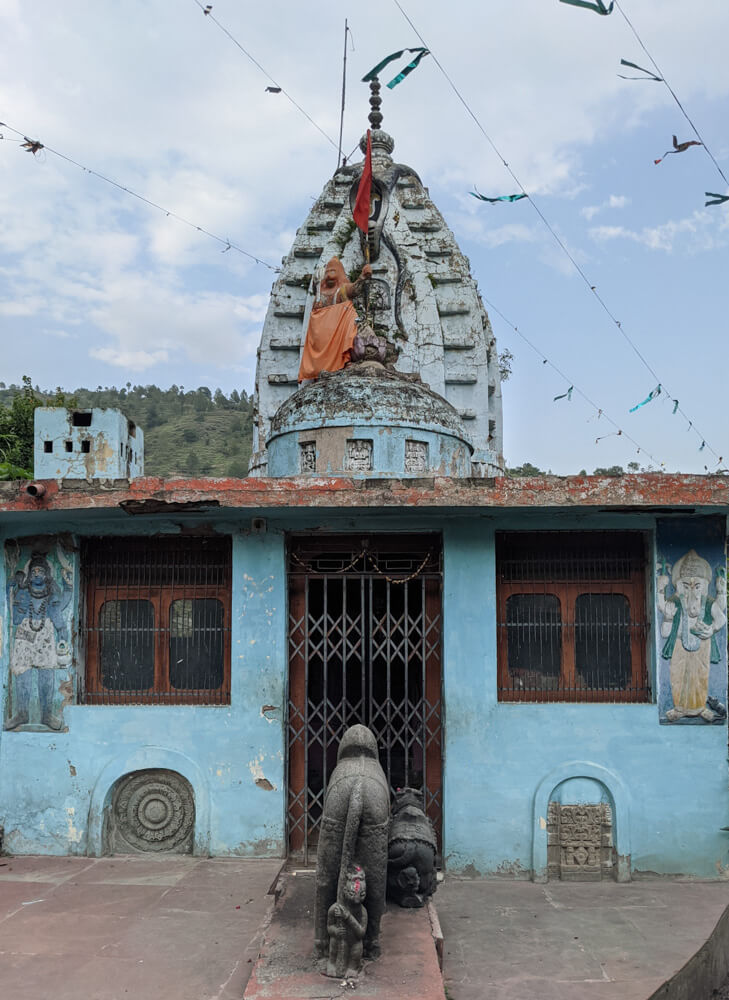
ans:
(111, 928)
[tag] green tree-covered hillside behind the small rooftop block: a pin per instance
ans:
(186, 432)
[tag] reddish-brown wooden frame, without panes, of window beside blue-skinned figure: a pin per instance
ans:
(161, 596)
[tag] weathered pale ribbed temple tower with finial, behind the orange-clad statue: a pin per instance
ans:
(422, 300)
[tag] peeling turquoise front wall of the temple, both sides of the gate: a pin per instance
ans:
(502, 762)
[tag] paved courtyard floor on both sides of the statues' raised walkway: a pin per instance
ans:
(189, 929)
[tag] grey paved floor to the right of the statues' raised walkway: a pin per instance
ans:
(507, 940)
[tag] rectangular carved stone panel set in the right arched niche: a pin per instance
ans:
(580, 842)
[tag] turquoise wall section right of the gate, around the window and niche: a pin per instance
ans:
(668, 785)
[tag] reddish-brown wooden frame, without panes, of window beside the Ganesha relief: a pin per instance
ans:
(571, 687)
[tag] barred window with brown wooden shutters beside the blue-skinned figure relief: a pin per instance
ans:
(157, 620)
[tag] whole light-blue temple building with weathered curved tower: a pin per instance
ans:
(542, 662)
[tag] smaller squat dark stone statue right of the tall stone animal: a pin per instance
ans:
(411, 875)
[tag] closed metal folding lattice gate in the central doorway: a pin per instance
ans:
(364, 646)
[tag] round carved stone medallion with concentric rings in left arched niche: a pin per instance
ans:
(154, 811)
